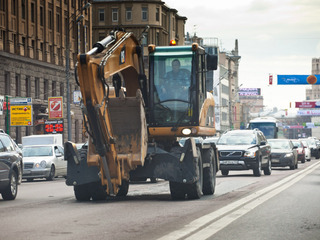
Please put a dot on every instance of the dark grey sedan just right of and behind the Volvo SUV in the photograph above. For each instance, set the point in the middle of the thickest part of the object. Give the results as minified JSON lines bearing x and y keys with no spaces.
{"x":283,"y":153}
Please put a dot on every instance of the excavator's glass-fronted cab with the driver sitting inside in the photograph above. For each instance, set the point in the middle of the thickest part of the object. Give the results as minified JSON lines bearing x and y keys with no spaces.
{"x":176,"y":97}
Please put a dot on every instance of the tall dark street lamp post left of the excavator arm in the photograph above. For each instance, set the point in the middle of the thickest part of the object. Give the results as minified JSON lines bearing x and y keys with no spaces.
{"x":70,"y":24}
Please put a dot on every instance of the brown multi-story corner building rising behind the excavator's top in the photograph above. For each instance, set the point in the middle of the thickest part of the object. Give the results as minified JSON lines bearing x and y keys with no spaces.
{"x":164,"y":23}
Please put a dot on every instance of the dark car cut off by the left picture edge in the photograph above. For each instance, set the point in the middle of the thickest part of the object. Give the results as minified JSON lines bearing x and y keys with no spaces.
{"x":10,"y":167}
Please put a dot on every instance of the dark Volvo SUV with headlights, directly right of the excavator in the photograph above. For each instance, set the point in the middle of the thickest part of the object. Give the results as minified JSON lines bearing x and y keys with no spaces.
{"x":243,"y":150}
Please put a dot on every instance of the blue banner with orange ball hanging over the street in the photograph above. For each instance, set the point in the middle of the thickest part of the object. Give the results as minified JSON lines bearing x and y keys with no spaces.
{"x":298,"y":79}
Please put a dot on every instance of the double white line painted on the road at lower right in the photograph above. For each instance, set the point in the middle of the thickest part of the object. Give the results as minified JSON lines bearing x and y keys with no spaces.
{"x":234,"y":213}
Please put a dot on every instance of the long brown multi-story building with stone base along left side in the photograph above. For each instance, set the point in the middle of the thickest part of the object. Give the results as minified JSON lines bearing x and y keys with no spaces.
{"x":33,"y":44}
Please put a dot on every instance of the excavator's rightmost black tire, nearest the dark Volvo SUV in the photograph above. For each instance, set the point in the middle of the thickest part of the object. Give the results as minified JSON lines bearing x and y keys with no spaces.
{"x":209,"y":172}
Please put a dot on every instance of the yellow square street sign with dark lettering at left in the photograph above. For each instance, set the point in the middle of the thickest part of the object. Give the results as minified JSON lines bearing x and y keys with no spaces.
{"x":21,"y":115}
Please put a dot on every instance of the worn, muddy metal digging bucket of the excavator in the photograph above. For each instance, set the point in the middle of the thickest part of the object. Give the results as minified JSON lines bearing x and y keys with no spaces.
{"x":129,"y":128}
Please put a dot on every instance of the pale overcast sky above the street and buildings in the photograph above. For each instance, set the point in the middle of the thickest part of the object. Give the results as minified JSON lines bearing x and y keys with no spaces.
{"x":274,"y":36}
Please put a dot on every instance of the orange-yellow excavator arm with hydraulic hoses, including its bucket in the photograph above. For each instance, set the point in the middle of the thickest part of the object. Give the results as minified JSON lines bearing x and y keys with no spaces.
{"x":114,"y":117}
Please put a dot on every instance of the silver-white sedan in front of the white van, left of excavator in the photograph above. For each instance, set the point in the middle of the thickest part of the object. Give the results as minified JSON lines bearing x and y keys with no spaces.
{"x":43,"y":161}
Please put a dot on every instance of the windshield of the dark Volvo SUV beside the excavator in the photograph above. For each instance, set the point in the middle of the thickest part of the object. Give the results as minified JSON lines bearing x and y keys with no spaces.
{"x":237,"y":139}
